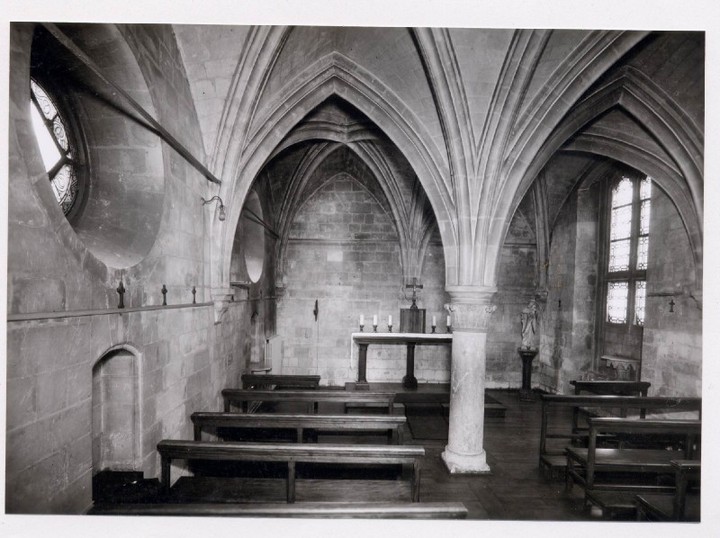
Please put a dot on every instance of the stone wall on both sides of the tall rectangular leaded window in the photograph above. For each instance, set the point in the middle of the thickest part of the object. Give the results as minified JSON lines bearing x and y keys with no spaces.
{"x":672,"y":341}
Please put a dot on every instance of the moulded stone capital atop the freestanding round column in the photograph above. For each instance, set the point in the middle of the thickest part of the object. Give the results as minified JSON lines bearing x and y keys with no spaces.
{"x":471,"y":307}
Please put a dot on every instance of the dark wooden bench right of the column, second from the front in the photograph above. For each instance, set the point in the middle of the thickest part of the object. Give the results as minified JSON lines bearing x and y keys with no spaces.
{"x":597,"y":468}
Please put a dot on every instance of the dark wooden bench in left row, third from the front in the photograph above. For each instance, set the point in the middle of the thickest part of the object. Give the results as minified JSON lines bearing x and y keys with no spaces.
{"x":390,"y":424}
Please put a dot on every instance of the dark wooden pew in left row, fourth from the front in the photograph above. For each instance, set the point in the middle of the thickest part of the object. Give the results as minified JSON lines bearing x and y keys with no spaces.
{"x":232,"y":397}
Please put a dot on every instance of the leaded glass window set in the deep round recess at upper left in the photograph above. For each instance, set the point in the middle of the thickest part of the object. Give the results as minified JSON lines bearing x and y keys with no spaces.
{"x":58,"y":150}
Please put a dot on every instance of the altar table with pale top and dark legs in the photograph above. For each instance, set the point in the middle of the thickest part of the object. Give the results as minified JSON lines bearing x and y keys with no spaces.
{"x":363,"y":340}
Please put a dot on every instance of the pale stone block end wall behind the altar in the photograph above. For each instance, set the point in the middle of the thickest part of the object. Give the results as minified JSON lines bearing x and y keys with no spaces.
{"x":344,"y":252}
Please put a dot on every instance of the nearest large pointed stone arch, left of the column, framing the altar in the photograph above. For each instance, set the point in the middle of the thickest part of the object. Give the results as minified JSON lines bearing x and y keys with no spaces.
{"x":334,"y":74}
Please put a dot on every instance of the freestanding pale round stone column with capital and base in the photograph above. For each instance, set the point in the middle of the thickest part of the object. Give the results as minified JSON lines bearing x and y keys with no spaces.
{"x":470,"y":310}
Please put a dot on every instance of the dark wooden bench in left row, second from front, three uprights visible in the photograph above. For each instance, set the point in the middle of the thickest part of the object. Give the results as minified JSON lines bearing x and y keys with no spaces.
{"x":291,"y":454}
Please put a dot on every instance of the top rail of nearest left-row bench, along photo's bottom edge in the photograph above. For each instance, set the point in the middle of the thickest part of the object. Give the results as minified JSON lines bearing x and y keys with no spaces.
{"x":432,"y":510}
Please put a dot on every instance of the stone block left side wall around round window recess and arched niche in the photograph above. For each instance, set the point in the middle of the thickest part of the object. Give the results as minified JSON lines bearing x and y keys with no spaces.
{"x":184,"y":357}
